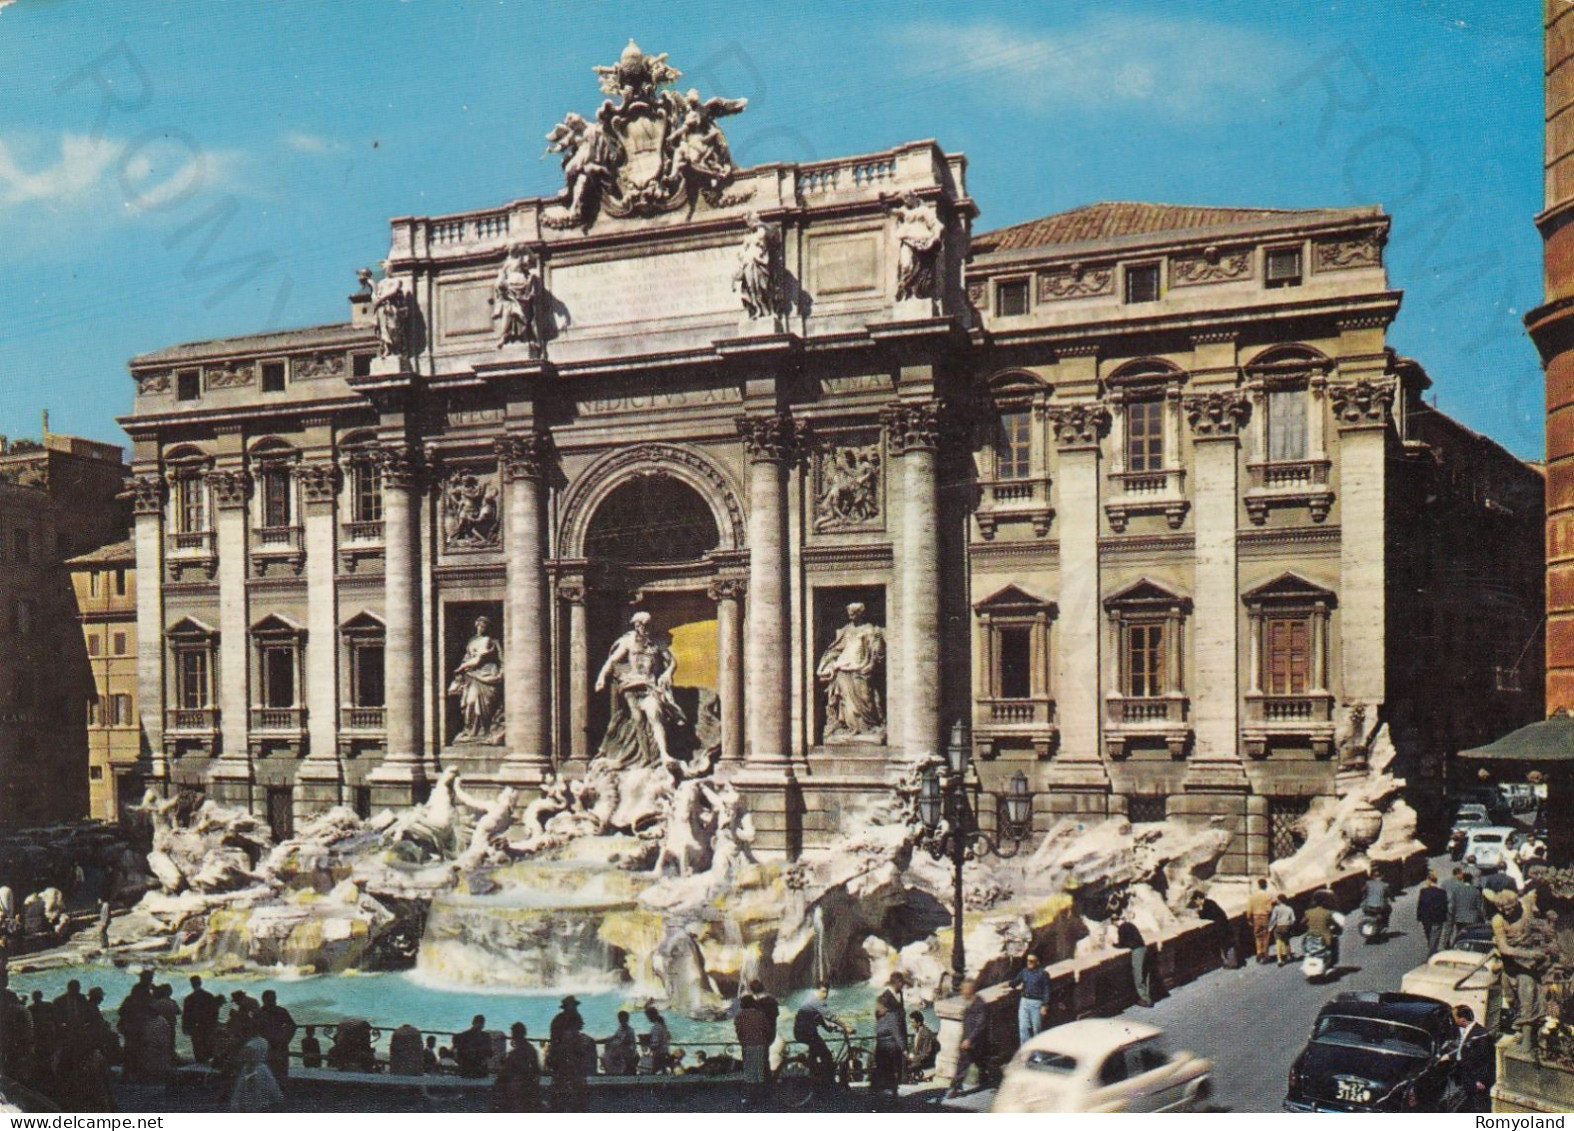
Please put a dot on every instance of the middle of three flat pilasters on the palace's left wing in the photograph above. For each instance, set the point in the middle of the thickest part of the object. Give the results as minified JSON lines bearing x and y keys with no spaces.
{"x":229,"y":490}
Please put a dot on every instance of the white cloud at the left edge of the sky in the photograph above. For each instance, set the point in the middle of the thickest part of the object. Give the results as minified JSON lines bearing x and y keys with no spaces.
{"x":98,"y":174}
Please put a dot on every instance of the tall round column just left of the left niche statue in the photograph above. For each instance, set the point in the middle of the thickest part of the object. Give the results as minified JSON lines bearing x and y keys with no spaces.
{"x":402,"y":643}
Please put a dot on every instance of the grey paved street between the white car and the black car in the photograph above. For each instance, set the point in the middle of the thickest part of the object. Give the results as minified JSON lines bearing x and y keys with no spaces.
{"x":1254,"y":1022}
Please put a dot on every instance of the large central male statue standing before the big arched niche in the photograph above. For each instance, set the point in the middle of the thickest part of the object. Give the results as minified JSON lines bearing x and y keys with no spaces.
{"x":641,"y":669}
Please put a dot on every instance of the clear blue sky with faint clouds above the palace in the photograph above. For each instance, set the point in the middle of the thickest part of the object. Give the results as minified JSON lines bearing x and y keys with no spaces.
{"x":187,"y":171}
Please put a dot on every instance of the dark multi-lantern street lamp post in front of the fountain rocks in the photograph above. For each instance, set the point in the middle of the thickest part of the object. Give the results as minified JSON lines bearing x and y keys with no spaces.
{"x":953,"y":831}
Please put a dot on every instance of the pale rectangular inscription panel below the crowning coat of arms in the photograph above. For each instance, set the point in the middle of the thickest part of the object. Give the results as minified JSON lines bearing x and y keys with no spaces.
{"x":657,"y":287}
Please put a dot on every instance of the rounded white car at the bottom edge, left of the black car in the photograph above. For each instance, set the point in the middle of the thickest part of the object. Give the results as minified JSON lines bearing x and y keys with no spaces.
{"x":1103,"y":1066}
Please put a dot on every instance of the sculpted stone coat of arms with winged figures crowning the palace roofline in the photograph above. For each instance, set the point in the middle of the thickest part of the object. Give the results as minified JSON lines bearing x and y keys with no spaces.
{"x":654,"y":150}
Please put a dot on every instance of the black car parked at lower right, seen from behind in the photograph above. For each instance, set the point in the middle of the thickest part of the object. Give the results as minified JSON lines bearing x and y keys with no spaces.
{"x":1378,"y":1053}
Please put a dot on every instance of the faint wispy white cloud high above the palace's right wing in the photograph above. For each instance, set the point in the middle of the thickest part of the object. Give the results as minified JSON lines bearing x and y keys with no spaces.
{"x":1180,"y":67}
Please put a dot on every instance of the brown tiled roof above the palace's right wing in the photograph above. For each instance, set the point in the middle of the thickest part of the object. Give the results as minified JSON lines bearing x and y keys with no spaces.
{"x":1110,"y":219}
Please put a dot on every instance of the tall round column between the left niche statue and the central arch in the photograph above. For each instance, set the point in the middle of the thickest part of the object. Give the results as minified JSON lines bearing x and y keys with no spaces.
{"x":527,"y":685}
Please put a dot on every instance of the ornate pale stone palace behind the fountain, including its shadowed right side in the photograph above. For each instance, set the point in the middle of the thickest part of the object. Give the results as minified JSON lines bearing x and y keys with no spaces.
{"x":1129,"y":490}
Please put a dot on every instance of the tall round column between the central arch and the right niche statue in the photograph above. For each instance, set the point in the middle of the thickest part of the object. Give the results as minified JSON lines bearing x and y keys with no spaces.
{"x":772,"y":443}
